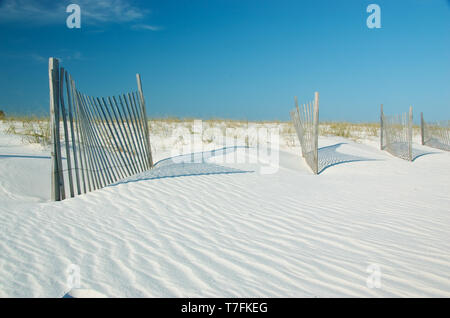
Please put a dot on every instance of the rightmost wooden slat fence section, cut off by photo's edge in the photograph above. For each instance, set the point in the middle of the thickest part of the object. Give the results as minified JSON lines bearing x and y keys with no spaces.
{"x":436,"y":135}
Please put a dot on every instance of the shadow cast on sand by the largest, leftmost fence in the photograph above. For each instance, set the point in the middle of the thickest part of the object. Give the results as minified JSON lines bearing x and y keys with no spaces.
{"x":193,"y":164}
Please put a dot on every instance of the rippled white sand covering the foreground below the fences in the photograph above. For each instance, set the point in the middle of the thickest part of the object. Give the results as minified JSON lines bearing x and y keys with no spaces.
{"x":205,"y":230}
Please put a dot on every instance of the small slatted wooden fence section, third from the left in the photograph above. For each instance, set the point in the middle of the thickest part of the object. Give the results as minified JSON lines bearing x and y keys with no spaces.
{"x":396,"y":134}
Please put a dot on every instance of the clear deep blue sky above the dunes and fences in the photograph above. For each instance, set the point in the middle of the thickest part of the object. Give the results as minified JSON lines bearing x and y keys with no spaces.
{"x":241,"y":59}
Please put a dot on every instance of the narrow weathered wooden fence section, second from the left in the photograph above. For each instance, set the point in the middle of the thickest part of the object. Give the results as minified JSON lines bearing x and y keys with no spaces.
{"x":306,"y":123}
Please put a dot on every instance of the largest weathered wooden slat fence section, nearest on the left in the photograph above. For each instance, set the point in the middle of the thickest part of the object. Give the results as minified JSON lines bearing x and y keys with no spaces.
{"x":104,"y":139}
